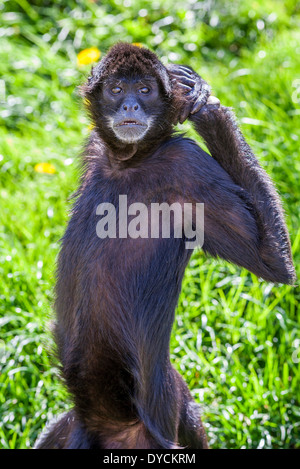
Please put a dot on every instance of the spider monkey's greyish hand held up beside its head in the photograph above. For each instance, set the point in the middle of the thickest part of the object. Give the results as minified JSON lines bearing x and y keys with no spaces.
{"x":194,"y":89}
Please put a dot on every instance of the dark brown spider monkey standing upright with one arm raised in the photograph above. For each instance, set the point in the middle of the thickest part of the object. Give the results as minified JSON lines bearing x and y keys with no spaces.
{"x":116,"y":296}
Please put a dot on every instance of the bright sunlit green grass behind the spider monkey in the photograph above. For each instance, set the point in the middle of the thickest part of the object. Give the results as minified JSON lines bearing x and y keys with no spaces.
{"x":236,"y":339}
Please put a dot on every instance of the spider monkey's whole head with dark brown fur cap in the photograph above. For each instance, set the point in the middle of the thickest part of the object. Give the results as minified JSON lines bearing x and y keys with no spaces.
{"x":130,"y":98}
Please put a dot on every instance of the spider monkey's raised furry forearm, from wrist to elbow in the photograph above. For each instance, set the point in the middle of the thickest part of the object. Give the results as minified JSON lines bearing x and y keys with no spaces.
{"x":217,"y":126}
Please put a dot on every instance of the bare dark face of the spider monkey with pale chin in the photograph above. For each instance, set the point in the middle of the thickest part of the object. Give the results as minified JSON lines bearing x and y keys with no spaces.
{"x":130,"y":106}
